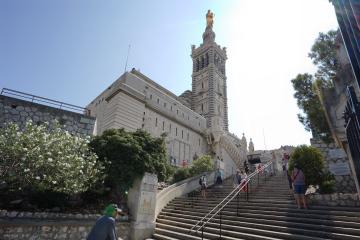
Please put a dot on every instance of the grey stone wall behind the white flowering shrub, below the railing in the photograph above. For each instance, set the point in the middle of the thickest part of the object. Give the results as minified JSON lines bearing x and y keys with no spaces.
{"x":20,"y":111}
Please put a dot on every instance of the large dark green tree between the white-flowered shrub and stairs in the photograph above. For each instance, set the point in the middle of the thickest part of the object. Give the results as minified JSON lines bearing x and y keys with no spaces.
{"x":128,"y":155}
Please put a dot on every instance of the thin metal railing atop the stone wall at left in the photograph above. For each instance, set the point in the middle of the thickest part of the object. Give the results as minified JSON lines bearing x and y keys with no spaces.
{"x":44,"y":101}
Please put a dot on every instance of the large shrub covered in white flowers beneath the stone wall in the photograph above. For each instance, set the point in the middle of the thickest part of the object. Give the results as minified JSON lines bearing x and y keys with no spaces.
{"x":46,"y":159}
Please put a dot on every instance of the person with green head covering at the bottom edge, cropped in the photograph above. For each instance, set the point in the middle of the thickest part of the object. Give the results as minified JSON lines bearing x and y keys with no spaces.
{"x":104,"y":228}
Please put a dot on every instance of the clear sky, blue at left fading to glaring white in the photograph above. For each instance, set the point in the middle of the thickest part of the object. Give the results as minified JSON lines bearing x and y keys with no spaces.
{"x":71,"y":51}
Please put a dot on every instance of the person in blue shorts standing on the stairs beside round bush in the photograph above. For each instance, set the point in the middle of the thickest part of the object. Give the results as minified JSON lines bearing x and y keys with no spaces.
{"x":298,"y":179}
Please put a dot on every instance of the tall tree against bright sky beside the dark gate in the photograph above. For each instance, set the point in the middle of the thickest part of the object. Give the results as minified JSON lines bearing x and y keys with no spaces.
{"x":323,"y":54}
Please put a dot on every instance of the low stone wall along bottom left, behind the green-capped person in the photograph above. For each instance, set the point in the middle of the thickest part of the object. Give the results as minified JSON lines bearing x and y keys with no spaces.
{"x":36,"y":226}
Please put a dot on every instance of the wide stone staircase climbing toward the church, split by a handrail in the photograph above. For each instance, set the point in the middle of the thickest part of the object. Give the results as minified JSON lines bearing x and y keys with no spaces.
{"x":270,"y":213}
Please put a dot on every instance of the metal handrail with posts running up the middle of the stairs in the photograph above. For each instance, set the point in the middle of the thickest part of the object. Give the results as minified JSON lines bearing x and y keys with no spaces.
{"x":200,"y":225}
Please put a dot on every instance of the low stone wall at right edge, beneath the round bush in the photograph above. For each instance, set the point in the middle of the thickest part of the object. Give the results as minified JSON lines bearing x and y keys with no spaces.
{"x":335,"y":199}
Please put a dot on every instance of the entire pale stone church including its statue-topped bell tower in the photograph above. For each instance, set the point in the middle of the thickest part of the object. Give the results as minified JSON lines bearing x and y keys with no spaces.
{"x":194,"y":123}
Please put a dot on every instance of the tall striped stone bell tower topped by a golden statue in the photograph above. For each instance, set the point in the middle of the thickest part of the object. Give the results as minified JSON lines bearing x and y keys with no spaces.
{"x":209,"y":97}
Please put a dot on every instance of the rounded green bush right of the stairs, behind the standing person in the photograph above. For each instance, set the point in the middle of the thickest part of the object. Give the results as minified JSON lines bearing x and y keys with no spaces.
{"x":311,"y":161}
